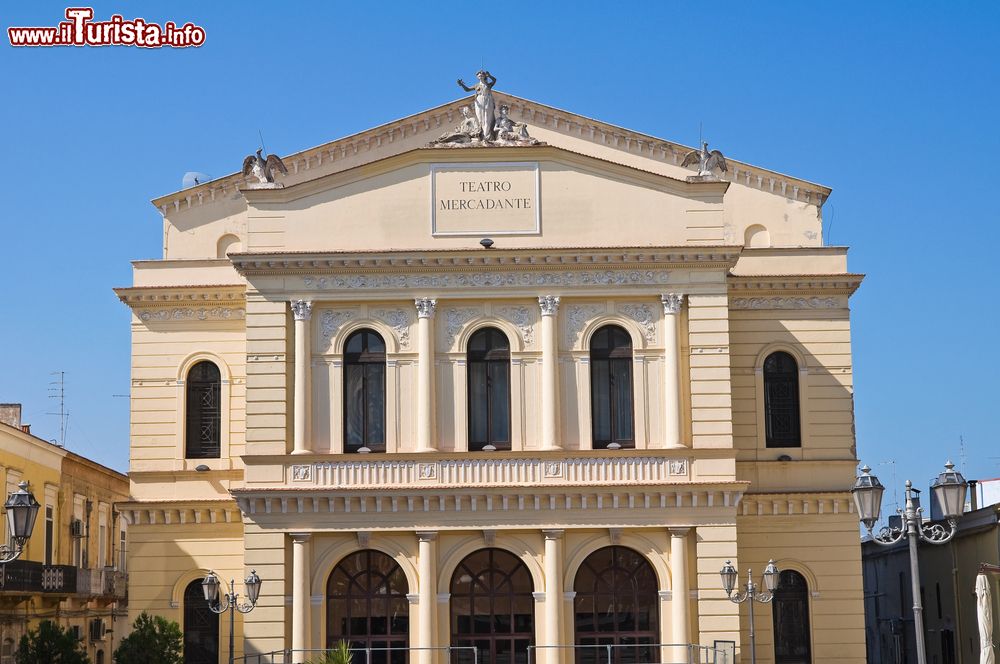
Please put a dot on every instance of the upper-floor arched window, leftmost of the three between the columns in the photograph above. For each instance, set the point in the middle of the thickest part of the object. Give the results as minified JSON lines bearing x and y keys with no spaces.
{"x":364,"y":392}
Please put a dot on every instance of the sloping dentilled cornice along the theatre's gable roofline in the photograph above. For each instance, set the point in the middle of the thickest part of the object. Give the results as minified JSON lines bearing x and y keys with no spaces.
{"x":430,"y":122}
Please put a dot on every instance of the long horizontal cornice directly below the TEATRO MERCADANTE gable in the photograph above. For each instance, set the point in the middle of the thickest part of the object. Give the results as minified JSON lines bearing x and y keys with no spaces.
{"x":536,"y":260}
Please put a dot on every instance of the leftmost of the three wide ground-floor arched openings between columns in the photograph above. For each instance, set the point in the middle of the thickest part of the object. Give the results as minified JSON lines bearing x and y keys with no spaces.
{"x":366,"y":606}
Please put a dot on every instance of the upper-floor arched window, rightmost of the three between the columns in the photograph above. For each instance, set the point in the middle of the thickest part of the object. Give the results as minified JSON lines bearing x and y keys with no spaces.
{"x":611,"y":409}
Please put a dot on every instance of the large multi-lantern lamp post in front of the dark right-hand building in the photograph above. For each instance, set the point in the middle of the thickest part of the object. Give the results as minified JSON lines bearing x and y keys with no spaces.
{"x":949,"y":489}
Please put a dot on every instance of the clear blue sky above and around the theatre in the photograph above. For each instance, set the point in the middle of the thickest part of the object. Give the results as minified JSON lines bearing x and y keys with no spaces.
{"x":894,"y":105}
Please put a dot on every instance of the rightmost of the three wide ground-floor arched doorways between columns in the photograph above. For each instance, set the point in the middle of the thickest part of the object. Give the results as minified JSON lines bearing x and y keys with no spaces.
{"x":616,"y":604}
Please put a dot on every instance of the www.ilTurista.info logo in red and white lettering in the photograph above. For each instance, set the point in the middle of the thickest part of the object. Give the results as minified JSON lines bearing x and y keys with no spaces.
{"x":80,"y":30}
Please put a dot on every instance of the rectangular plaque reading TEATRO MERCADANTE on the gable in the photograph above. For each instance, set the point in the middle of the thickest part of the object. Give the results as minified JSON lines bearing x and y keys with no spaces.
{"x":485,"y":199}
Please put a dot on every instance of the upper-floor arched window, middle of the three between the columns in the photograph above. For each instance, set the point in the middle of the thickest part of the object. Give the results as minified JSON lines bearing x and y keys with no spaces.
{"x":489,"y":390}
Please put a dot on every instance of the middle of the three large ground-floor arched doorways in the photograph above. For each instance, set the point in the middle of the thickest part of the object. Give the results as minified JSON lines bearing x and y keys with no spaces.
{"x":492,"y":608}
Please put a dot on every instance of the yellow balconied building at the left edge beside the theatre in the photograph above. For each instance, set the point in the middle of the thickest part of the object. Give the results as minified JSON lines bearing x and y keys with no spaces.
{"x":73,"y":568}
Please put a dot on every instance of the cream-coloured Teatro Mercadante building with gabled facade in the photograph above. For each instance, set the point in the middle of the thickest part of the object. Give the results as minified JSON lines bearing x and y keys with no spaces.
{"x":419,"y":439}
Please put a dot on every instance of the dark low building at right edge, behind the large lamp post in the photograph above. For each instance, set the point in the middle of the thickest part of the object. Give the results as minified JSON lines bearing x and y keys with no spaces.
{"x":947,"y":584}
